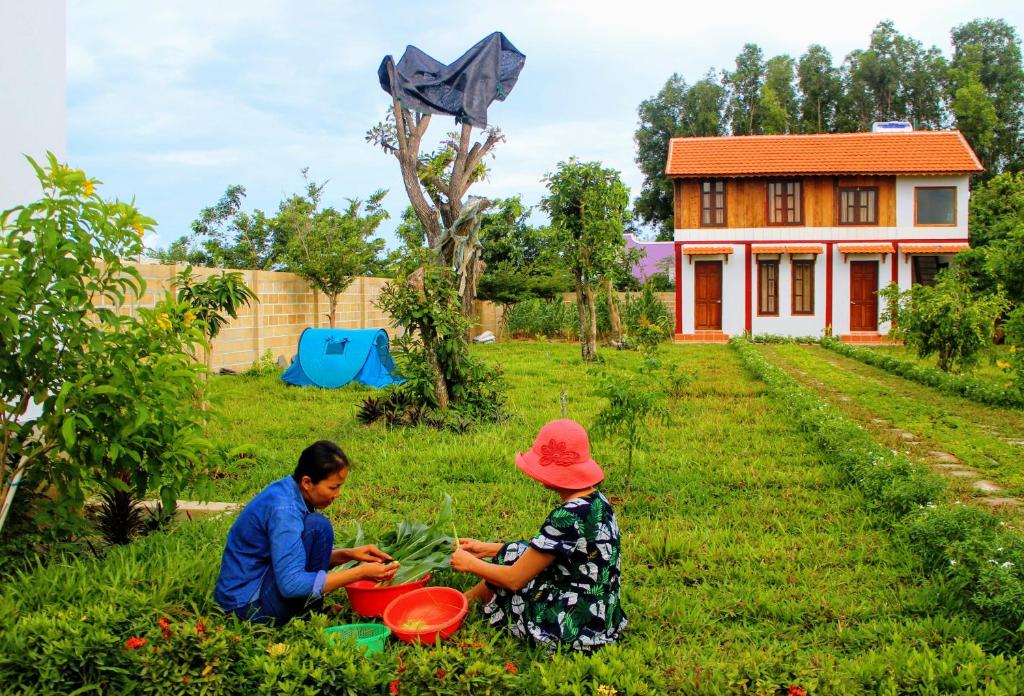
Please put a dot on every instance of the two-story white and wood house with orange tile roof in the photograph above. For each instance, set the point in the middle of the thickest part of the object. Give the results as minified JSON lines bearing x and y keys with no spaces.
{"x":794,"y":235}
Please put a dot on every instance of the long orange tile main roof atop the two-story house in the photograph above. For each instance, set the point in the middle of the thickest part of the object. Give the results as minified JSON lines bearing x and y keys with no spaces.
{"x":827,"y":154}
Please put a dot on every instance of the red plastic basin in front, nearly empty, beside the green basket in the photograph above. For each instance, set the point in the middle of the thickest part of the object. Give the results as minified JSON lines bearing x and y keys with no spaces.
{"x":424,"y":616}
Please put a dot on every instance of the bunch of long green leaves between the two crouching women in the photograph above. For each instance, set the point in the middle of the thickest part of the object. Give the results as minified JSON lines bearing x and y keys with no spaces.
{"x":419,"y":547}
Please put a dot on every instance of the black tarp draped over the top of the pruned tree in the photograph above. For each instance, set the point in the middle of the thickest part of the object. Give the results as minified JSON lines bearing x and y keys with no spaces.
{"x":464,"y":90}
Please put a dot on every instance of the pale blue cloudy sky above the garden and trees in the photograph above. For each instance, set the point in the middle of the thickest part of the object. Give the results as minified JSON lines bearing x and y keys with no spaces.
{"x":170,"y":103}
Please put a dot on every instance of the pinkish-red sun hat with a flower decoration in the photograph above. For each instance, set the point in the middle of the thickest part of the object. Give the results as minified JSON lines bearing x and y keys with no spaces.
{"x":561,"y":458}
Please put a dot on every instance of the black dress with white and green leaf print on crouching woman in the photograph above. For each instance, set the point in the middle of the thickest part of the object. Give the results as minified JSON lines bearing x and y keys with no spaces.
{"x":575,"y":601}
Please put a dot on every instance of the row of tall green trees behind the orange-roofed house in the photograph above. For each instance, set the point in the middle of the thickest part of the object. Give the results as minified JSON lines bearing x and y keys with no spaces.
{"x":978,"y":90}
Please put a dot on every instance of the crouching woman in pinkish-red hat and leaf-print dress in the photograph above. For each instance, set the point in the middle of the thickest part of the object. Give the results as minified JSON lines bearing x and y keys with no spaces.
{"x":562,"y":588}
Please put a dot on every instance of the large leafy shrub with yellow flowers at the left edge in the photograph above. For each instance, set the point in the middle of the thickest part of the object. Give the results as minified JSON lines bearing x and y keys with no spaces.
{"x":114,"y":391}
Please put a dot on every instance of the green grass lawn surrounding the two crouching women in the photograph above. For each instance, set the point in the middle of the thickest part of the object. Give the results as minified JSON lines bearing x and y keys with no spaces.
{"x":748,"y":565}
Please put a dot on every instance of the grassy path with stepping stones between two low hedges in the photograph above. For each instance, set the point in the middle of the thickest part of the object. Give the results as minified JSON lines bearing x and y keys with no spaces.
{"x":979,"y":449}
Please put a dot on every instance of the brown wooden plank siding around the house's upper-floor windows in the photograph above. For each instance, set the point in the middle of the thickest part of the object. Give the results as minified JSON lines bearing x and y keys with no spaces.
{"x":747,"y":205}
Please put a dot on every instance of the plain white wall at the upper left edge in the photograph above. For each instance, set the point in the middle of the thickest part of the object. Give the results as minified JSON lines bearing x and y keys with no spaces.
{"x":34,"y":112}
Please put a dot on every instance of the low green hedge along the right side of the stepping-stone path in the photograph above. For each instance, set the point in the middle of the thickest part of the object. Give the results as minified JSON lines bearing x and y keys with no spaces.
{"x":971,"y":388}
